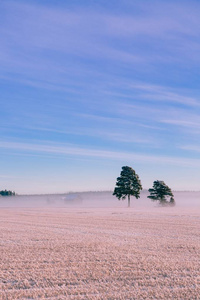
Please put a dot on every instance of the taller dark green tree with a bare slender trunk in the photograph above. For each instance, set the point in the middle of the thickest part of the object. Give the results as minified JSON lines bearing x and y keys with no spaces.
{"x":128,"y":184}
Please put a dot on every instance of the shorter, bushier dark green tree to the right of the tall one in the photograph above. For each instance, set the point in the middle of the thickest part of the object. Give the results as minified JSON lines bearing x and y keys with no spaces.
{"x":161,"y":192}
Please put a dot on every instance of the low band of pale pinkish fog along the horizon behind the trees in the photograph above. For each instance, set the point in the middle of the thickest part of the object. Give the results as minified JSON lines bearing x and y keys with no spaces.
{"x":96,"y":199}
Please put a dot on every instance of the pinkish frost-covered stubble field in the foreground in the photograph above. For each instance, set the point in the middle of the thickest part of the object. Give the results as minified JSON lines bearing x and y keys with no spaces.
{"x":100,"y":252}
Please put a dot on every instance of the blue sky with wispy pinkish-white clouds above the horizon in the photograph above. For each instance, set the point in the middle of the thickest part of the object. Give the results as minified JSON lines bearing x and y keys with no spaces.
{"x":87,"y":87}
